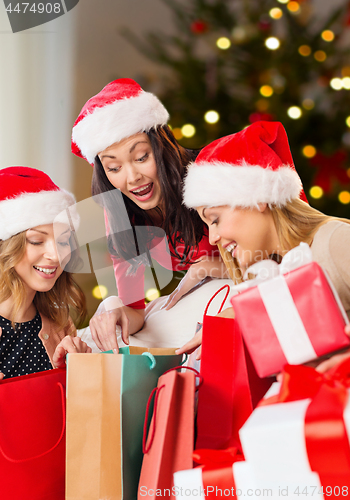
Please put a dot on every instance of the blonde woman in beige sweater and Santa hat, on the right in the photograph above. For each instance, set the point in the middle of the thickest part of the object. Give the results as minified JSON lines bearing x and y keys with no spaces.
{"x":246,"y":189}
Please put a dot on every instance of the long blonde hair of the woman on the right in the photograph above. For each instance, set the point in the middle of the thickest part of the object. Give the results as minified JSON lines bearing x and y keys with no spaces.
{"x":295,"y":222}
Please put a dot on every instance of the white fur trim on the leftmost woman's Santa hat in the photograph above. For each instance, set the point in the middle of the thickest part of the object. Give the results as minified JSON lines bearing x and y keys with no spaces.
{"x":30,"y":210}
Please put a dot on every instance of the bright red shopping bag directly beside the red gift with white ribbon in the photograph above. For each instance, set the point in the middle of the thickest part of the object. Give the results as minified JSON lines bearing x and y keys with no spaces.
{"x":231,"y":387}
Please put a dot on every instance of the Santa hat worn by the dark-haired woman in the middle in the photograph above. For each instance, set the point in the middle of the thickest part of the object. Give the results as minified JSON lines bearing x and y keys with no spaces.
{"x":120,"y":110}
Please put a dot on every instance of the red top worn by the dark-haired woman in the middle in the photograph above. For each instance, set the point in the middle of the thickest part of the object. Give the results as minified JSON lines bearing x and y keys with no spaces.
{"x":131,"y":288}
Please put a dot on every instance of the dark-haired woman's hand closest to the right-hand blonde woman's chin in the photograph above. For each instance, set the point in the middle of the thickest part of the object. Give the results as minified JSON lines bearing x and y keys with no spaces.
{"x":209,"y":266}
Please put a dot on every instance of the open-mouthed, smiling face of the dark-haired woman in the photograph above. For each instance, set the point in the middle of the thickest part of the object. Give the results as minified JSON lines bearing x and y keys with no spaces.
{"x":130,"y":167}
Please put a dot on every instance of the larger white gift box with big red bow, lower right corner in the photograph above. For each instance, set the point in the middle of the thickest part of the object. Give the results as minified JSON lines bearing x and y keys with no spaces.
{"x":291,"y":436}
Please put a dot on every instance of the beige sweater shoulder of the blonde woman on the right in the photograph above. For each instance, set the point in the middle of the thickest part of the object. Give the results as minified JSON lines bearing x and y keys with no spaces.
{"x":331,"y":249}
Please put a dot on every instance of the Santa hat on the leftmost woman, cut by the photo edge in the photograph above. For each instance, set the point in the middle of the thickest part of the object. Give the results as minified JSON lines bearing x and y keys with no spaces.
{"x":28,"y":198}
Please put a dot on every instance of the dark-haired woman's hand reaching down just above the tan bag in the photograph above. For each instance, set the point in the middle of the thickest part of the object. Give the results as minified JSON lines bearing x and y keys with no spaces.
{"x":103,"y":328}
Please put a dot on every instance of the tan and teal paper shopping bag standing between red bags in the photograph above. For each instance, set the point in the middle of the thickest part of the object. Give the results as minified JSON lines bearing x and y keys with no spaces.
{"x":106,"y":403}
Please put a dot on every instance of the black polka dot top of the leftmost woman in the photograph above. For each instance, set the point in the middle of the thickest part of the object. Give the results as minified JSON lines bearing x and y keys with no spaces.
{"x":21,"y":350}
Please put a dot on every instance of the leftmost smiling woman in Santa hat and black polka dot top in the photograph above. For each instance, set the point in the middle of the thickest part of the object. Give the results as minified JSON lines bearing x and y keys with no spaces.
{"x":36,"y":294}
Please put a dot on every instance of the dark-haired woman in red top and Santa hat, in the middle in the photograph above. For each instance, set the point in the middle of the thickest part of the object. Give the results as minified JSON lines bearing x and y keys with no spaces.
{"x":139,"y":168}
